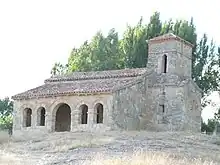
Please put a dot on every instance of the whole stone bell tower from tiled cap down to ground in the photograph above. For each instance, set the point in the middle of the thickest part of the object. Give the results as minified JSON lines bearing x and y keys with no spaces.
{"x":172,"y":92}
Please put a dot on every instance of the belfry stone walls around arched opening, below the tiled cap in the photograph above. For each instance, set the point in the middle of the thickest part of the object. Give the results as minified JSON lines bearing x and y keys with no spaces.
{"x":179,"y":57}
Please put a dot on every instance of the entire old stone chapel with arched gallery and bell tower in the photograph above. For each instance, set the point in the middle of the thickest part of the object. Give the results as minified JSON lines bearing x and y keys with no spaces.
{"x":160,"y":97}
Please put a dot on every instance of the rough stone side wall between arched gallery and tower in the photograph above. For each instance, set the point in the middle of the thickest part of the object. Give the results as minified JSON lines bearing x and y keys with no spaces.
{"x":128,"y":104}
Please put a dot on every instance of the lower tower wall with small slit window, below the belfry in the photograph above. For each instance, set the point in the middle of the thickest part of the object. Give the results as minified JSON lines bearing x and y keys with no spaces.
{"x":172,"y":116}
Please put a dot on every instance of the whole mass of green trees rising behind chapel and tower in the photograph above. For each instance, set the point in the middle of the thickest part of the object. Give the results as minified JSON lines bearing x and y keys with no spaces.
{"x":131,"y":51}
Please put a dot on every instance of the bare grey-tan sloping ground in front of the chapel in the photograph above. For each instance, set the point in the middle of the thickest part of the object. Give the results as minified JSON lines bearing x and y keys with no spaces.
{"x":80,"y":148}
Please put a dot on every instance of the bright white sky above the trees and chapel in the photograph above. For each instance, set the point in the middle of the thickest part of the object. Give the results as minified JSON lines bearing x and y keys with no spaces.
{"x":36,"y":33}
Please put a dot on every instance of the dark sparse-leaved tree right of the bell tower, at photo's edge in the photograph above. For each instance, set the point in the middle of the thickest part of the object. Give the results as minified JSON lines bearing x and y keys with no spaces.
{"x":205,"y":66}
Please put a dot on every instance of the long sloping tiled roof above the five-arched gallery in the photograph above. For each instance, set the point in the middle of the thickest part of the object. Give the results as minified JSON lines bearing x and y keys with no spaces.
{"x":83,"y":82}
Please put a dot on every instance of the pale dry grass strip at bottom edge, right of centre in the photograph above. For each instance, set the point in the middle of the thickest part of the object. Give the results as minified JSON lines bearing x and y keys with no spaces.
{"x":148,"y":158}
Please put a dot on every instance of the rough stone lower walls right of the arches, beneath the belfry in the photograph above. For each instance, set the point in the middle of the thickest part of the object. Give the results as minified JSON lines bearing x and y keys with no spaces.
{"x":139,"y":106}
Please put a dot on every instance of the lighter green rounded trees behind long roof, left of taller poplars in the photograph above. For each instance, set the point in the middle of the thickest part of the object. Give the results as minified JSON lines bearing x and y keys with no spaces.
{"x":102,"y":53}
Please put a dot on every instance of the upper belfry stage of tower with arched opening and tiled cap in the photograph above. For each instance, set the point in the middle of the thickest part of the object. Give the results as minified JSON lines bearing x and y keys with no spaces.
{"x":170,"y":54}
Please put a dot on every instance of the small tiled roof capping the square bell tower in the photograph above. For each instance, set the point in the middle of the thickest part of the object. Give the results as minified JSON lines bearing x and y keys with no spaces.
{"x":169,"y":36}
